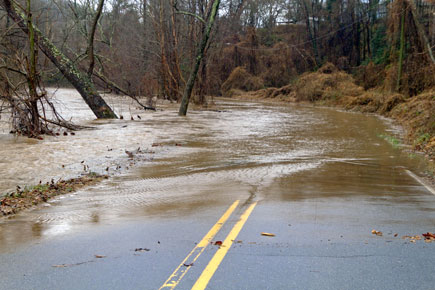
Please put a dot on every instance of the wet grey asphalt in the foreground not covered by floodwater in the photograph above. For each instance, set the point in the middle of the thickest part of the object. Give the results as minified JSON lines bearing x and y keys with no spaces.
{"x":307,"y":252}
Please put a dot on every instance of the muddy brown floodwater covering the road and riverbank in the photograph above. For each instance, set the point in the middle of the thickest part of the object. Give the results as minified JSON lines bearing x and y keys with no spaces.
{"x":246,"y":150}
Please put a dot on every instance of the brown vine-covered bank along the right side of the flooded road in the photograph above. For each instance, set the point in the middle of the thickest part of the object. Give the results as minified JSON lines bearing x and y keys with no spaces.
{"x":331,"y":87}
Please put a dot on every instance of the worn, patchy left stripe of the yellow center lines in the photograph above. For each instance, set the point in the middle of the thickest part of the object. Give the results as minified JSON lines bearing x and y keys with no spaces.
{"x":181,"y":270}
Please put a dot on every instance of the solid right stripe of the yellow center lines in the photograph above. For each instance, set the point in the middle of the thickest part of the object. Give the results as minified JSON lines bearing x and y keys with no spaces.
{"x":214,"y":263}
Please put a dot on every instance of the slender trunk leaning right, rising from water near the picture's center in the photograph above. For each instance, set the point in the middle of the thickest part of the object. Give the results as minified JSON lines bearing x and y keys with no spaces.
{"x":199,"y":57}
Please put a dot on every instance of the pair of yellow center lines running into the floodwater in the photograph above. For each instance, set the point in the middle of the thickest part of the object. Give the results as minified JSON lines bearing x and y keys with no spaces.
{"x":214,"y":263}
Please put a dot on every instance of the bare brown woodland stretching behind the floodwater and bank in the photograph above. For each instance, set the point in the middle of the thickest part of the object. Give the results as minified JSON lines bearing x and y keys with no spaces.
{"x":149,"y":48}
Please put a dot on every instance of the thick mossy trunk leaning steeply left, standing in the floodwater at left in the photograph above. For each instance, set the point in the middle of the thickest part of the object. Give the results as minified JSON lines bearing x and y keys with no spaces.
{"x":80,"y":81}
